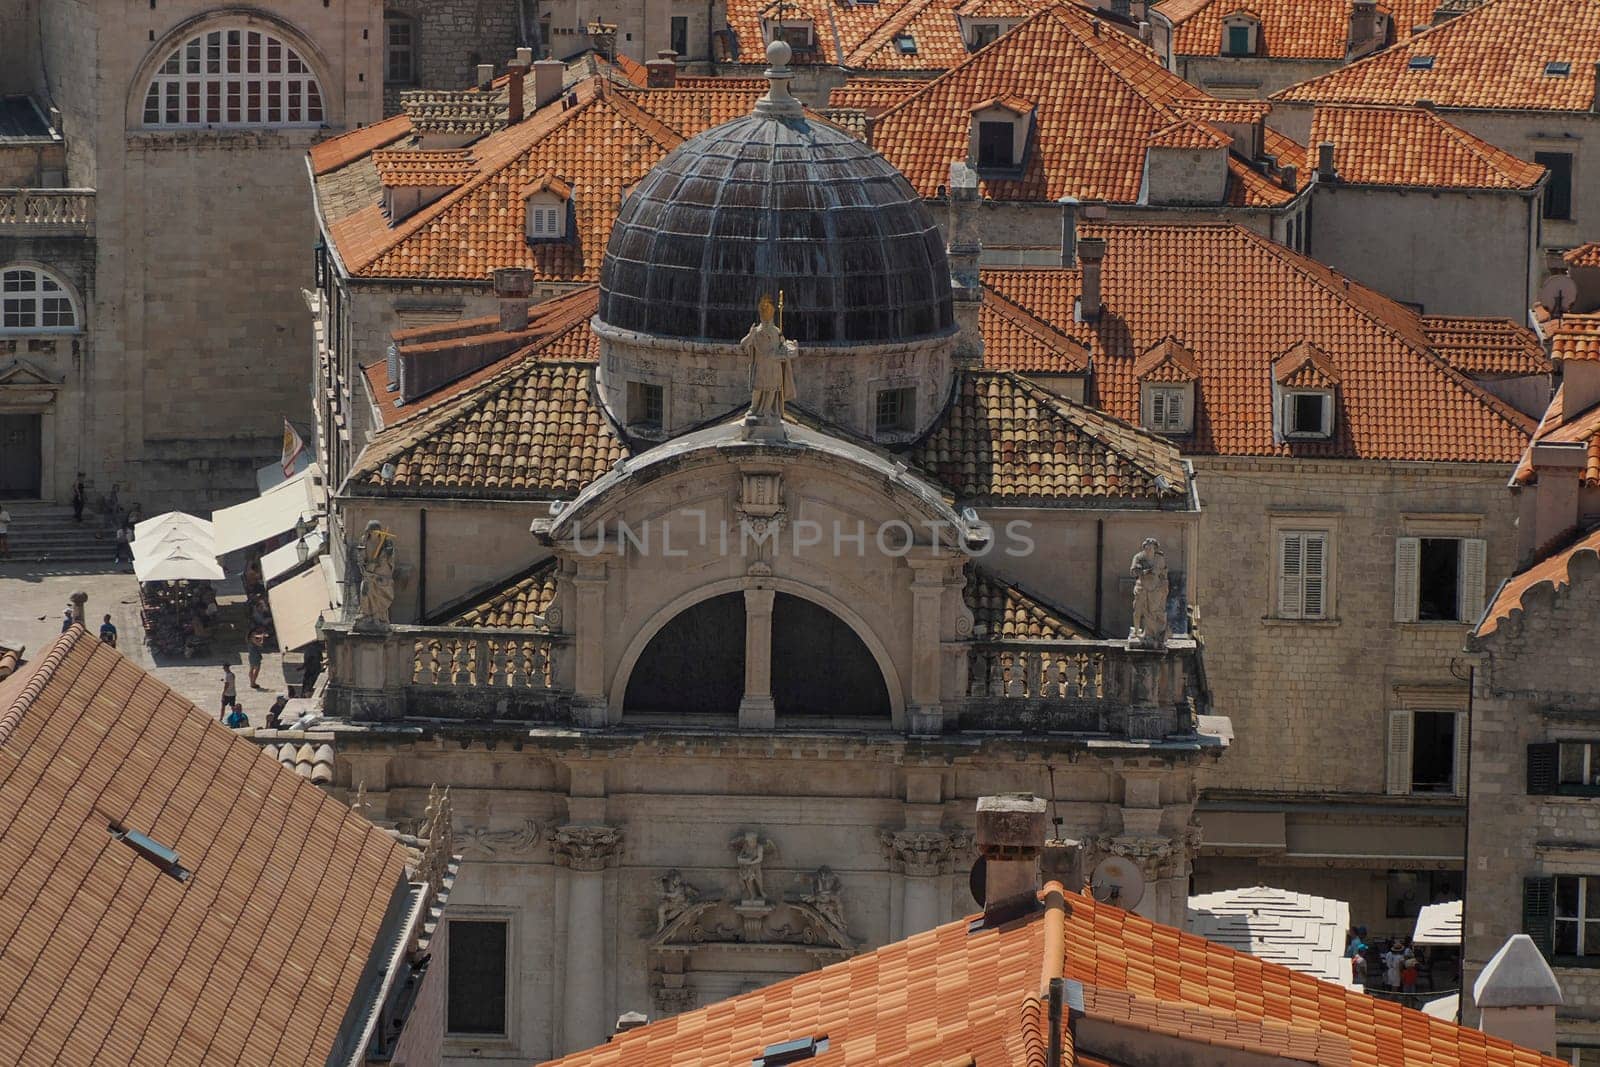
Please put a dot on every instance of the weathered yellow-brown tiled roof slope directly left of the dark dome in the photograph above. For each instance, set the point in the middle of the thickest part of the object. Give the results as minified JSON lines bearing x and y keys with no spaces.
{"x":532,"y":431}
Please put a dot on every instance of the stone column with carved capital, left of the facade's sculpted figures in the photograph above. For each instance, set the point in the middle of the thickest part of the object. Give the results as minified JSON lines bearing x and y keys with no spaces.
{"x":585,"y":852}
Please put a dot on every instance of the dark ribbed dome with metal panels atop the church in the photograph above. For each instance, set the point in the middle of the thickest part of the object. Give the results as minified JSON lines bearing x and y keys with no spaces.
{"x":766,"y":204}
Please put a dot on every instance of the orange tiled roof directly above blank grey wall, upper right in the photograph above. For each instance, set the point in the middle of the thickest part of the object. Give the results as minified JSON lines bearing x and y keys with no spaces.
{"x":1414,"y":148}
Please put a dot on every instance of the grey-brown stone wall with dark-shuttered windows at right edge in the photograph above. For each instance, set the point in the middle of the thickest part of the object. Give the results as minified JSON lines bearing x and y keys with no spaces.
{"x":1538,"y":681}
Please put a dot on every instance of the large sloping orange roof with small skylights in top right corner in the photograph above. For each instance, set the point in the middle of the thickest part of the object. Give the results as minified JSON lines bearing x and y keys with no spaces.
{"x":1474,"y":66}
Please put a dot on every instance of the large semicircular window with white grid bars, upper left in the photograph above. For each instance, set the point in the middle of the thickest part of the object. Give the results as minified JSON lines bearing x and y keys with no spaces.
{"x":233,"y":78}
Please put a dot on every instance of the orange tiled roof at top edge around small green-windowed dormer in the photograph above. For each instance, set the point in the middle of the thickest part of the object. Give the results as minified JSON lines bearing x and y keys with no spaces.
{"x":1290,"y":30}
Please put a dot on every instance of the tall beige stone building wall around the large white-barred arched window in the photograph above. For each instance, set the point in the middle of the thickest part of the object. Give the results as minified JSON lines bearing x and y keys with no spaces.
{"x":191,"y":124}
